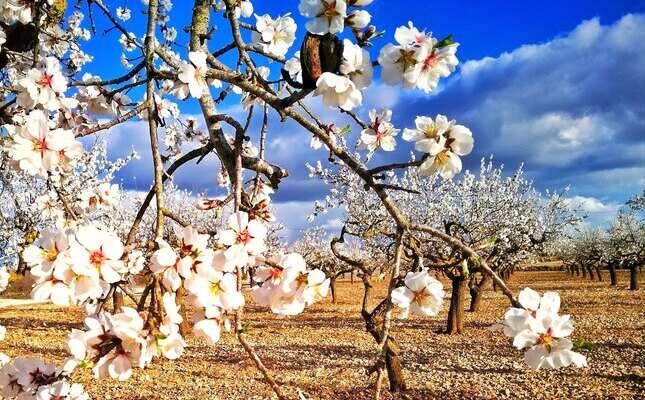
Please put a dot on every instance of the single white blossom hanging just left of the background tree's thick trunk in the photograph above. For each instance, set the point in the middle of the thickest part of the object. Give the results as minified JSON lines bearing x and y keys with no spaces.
{"x":421,"y":294}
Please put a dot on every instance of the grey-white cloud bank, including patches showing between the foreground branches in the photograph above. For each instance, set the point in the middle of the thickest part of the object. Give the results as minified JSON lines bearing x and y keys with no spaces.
{"x":571,"y":109}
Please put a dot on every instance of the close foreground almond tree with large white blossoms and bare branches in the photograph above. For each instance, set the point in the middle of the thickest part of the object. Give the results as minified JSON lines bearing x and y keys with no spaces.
{"x":77,"y":254}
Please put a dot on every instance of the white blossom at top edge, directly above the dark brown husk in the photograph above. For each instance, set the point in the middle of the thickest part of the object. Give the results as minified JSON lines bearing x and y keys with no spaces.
{"x":328,"y":15}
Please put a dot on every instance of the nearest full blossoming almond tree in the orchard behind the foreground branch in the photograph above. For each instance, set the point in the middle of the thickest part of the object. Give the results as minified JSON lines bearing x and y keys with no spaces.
{"x":505,"y":219}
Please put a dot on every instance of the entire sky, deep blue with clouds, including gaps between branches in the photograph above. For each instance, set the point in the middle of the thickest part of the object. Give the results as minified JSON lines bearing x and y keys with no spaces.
{"x":559,"y":86}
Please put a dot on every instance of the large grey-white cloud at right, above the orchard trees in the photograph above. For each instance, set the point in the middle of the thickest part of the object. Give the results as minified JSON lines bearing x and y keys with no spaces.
{"x":572,"y":108}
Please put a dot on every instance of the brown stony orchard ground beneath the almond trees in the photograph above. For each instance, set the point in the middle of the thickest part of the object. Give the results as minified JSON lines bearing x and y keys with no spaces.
{"x":325,"y":351}
